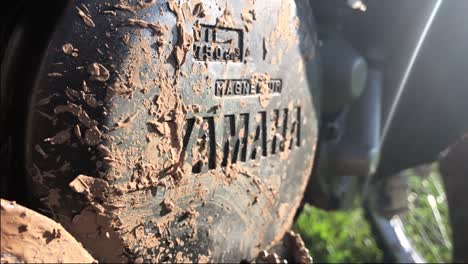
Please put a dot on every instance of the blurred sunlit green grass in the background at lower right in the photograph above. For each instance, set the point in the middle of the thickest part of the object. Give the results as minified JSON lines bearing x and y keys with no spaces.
{"x":338,"y":237}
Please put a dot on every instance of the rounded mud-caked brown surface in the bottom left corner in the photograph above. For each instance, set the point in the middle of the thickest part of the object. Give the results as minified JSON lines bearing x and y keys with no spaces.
{"x":29,"y":237}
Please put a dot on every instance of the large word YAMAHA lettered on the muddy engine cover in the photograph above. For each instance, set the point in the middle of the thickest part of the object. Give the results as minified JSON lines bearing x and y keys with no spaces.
{"x":245,"y":137}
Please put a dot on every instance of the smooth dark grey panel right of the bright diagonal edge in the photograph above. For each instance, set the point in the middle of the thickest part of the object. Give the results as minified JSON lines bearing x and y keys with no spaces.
{"x":432,"y":111}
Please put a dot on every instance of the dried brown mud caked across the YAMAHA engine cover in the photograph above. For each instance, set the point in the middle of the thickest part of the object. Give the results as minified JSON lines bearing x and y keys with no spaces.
{"x":133,"y":152}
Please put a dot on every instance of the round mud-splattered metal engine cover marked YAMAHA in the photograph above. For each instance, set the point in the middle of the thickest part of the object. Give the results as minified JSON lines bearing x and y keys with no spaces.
{"x":175,"y":131}
